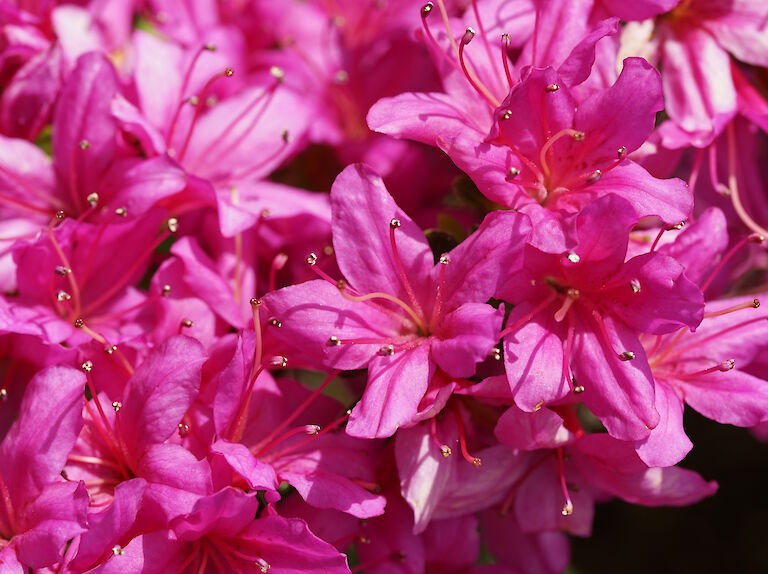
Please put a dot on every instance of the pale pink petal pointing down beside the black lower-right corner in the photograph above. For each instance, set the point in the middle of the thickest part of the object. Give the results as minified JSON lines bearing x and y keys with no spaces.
{"x":667,"y":444}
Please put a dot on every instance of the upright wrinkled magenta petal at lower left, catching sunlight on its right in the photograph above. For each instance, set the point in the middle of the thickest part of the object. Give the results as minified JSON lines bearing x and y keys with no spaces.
{"x":160,"y":392}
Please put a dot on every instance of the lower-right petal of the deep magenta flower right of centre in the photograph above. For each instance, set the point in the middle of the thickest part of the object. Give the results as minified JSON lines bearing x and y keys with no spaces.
{"x":619,"y":393}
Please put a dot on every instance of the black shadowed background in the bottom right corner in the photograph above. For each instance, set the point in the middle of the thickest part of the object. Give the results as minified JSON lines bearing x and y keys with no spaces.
{"x":727,"y":533}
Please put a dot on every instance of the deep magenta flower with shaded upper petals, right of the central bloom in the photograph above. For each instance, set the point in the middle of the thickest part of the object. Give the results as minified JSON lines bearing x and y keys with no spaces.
{"x":577,"y":316}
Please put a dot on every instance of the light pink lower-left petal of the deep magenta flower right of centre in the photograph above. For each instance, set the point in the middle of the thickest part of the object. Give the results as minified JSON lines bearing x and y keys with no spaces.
{"x":533,"y":359}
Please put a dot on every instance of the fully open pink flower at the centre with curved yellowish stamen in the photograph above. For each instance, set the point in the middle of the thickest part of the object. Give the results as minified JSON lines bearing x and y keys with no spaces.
{"x":396,"y":312}
